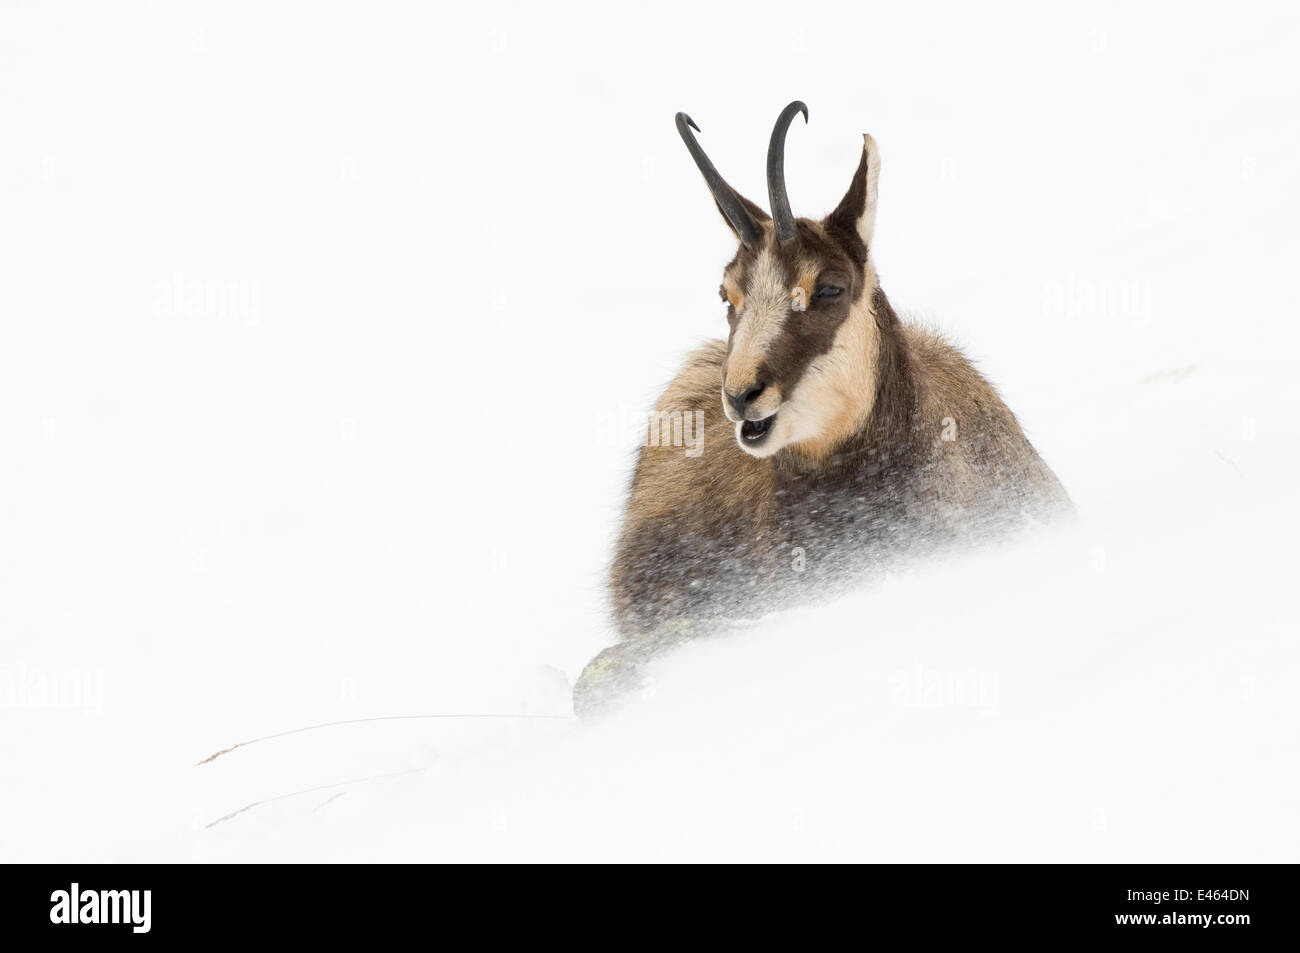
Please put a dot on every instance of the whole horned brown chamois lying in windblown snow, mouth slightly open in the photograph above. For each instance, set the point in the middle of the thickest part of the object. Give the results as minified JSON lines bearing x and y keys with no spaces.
{"x":860,"y":441}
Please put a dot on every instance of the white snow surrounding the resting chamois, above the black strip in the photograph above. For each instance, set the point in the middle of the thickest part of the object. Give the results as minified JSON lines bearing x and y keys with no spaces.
{"x":324,"y":336}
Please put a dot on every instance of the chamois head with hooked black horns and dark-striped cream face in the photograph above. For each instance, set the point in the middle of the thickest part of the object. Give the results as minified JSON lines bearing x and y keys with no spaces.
{"x":800,"y":294}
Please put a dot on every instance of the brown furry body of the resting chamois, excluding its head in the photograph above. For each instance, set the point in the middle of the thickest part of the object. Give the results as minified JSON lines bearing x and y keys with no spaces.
{"x":713,"y":536}
